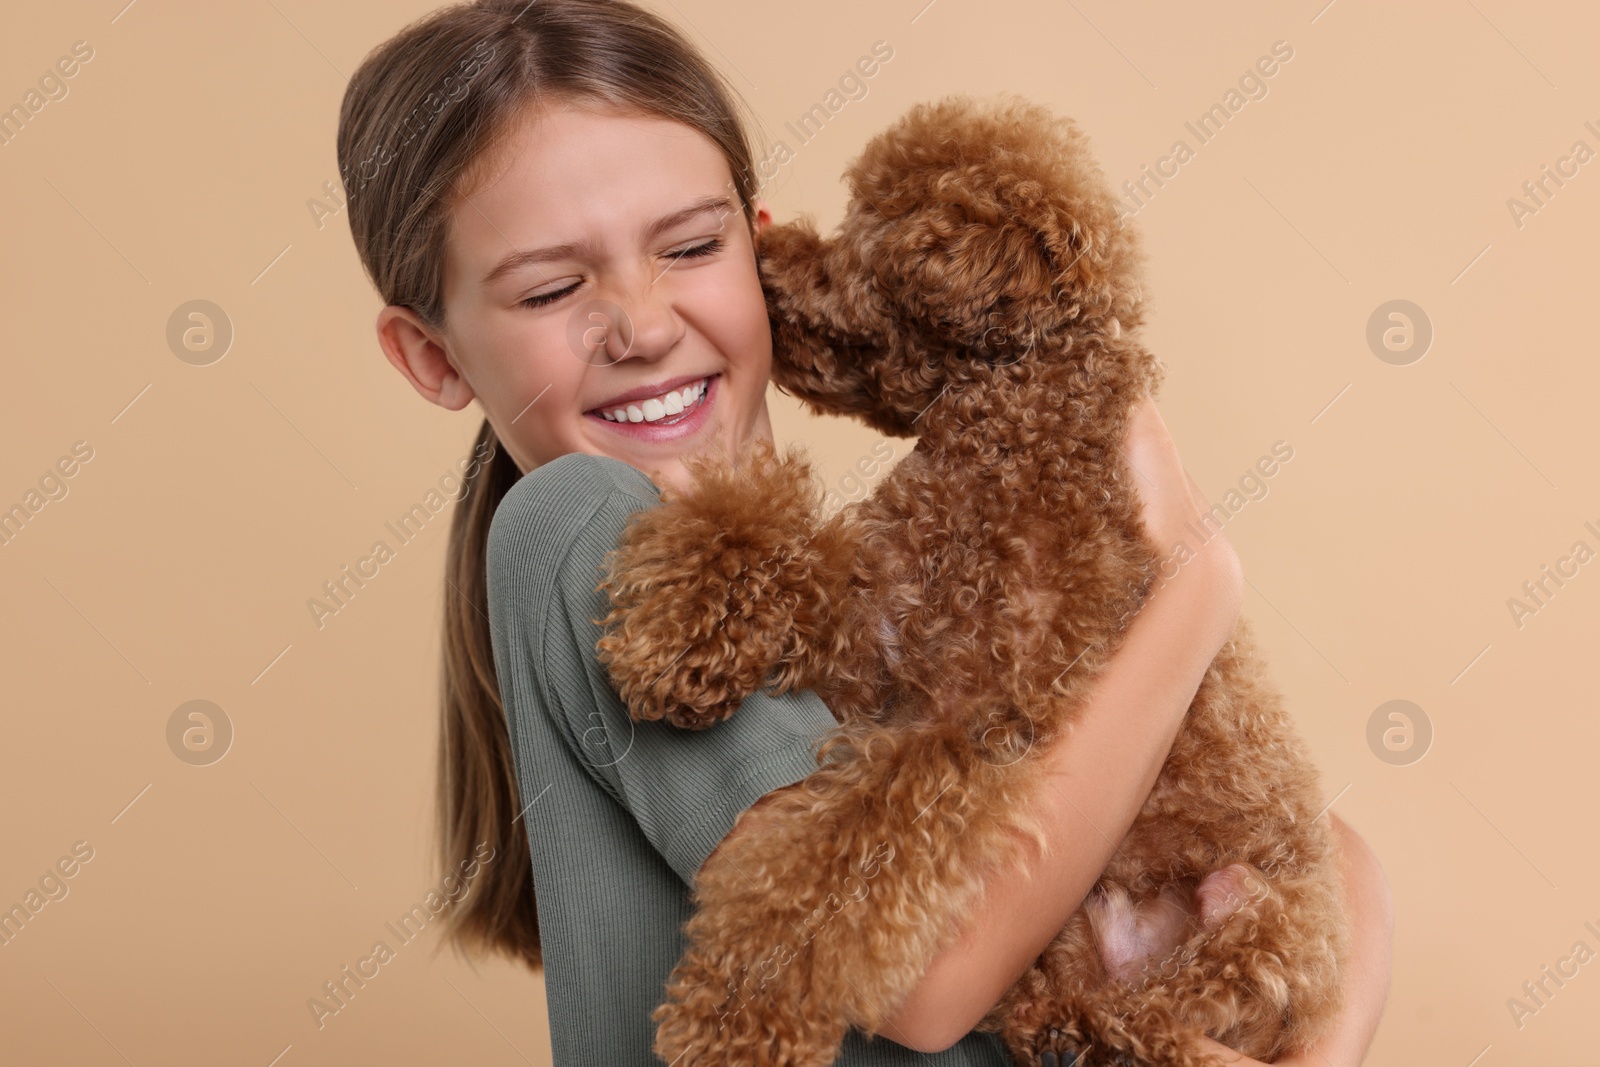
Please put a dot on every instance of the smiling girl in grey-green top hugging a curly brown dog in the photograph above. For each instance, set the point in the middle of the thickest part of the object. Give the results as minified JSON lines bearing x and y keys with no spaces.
{"x":556,"y":201}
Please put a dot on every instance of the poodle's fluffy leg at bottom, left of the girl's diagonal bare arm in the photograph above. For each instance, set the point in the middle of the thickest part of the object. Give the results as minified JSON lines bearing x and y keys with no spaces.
{"x":825,"y":909}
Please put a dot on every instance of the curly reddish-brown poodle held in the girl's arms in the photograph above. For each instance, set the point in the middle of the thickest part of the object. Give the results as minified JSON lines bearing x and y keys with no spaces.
{"x":983,"y":297}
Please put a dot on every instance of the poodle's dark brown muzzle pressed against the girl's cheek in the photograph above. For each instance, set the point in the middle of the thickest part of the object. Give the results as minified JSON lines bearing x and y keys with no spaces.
{"x":828,"y":324}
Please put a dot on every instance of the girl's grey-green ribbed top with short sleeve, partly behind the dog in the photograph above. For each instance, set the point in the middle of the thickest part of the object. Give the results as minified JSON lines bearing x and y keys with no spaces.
{"x":620,"y":815}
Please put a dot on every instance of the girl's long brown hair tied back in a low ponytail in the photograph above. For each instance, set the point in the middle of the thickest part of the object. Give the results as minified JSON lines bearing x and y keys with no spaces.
{"x":423,"y":108}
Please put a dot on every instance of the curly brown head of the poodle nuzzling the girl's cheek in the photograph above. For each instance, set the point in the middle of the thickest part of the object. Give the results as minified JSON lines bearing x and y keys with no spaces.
{"x":978,"y":234}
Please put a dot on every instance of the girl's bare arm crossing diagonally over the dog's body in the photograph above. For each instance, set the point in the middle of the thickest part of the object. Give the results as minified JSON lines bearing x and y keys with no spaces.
{"x":1097,"y":780}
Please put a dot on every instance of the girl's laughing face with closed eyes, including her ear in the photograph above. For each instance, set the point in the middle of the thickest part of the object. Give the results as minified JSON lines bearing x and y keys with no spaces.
{"x":601,"y":297}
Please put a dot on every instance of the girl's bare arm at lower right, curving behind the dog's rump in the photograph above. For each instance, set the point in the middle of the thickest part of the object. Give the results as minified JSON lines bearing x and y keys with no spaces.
{"x":1370,"y":913}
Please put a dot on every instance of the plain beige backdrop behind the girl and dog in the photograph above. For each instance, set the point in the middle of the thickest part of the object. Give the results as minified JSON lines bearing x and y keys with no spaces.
{"x":218,"y":500}
